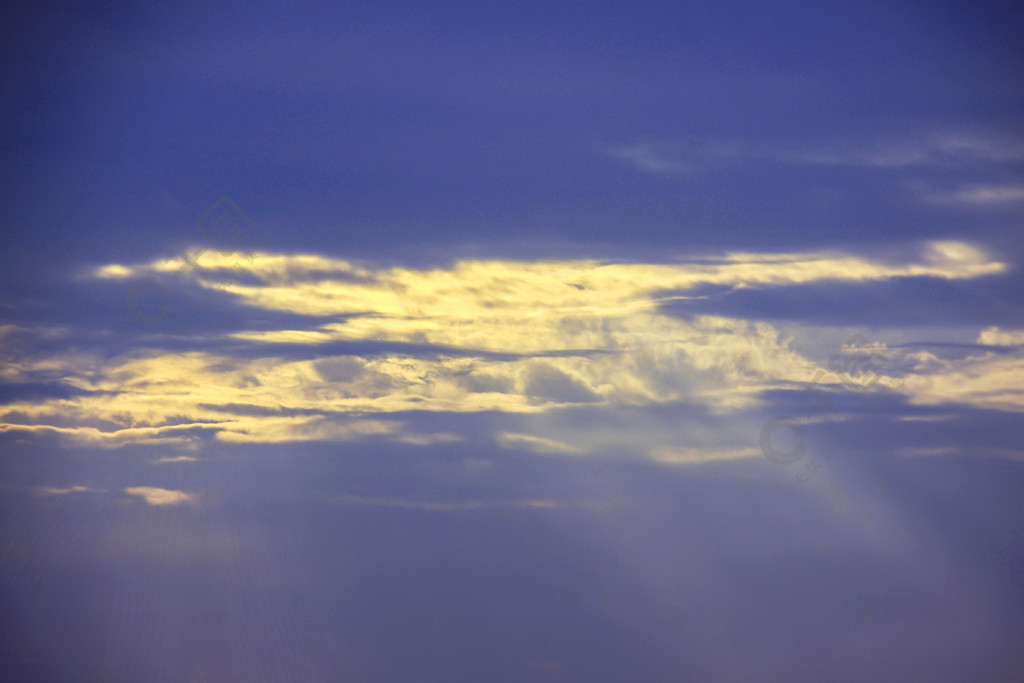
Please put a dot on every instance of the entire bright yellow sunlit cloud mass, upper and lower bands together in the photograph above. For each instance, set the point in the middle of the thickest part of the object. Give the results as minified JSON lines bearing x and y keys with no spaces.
{"x":511,"y":338}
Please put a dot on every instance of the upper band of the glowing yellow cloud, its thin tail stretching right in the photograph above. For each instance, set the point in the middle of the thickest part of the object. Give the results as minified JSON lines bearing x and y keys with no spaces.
{"x":417,"y":306}
